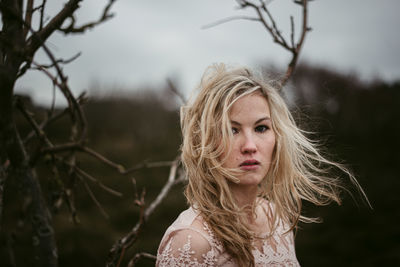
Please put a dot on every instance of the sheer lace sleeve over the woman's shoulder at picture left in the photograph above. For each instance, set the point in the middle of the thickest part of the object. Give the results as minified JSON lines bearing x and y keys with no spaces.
{"x":186,"y":247}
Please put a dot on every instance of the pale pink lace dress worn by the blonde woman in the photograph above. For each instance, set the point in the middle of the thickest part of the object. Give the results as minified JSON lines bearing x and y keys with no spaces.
{"x":190,"y":242}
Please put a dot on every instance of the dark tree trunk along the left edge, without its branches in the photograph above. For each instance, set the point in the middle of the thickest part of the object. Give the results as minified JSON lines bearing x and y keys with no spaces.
{"x":12,"y":150}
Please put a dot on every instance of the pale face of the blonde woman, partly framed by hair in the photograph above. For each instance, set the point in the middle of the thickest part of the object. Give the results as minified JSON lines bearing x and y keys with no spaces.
{"x":253,"y":138}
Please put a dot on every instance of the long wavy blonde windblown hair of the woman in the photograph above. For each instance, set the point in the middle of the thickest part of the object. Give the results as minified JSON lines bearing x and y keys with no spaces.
{"x":298,"y":170}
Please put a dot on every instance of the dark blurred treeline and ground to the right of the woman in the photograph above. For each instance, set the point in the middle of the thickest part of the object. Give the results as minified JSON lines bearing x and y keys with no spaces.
{"x":360,"y":123}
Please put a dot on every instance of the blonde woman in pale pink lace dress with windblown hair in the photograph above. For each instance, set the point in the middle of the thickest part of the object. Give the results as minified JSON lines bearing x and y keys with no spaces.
{"x":249,"y":167}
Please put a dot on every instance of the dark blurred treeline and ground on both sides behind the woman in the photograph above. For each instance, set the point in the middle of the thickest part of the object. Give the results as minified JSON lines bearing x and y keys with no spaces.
{"x":357,"y":121}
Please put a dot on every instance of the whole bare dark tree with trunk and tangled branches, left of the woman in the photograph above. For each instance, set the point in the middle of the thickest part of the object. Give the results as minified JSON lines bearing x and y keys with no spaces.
{"x":19,"y":44}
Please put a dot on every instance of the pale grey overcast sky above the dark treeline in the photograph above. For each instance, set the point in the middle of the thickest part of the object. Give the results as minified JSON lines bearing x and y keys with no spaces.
{"x":150,"y":40}
